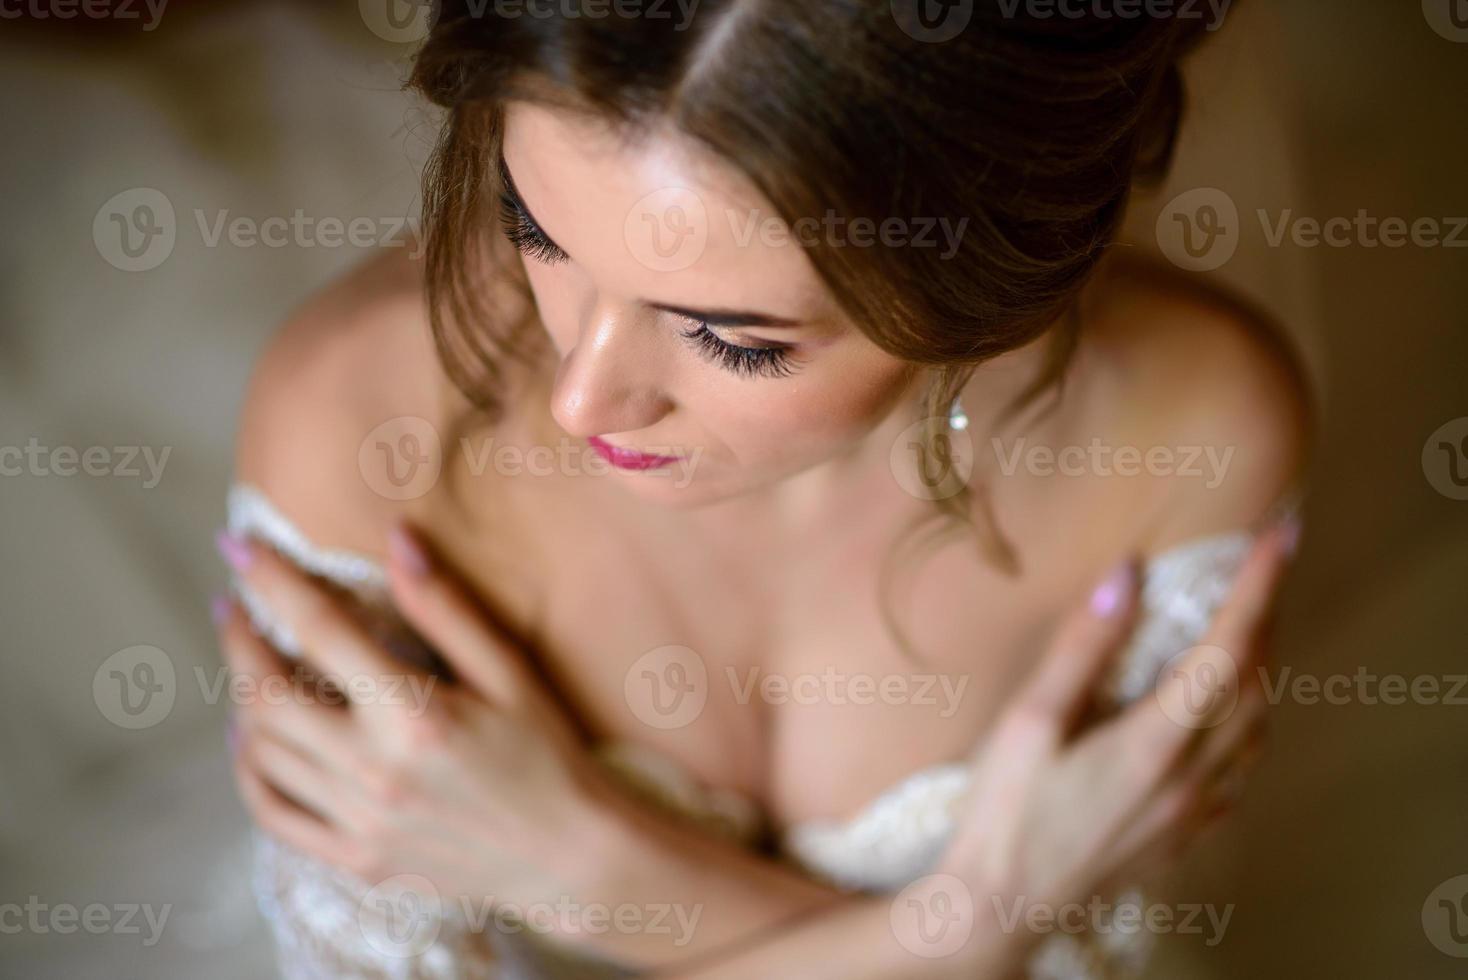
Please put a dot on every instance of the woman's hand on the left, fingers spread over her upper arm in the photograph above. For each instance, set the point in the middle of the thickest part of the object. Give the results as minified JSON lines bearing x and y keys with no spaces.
{"x":479,"y":786}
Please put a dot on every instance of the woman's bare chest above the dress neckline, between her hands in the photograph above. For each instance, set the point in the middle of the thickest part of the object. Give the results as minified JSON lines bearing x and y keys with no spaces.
{"x":791,"y":689}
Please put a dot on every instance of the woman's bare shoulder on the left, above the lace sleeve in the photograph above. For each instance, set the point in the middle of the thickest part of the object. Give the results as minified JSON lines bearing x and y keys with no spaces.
{"x":355,"y":357}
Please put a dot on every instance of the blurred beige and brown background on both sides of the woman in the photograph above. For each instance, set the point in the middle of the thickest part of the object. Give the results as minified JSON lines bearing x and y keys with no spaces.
{"x":131,"y":315}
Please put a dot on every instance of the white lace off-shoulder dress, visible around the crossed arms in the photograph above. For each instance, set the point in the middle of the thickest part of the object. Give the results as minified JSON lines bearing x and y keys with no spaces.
{"x":325,"y":929}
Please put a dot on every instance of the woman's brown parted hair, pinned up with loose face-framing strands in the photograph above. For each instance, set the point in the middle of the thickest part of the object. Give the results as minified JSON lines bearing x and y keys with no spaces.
{"x":1033,"y":128}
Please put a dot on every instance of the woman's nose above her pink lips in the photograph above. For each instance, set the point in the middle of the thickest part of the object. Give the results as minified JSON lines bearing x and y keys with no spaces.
{"x":610,"y":381}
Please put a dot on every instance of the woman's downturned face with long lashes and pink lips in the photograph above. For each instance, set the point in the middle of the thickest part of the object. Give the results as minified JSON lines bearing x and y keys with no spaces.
{"x":686,"y":323}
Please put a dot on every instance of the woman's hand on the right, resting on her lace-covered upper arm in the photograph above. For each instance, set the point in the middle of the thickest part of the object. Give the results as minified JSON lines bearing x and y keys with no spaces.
{"x":1062,"y":808}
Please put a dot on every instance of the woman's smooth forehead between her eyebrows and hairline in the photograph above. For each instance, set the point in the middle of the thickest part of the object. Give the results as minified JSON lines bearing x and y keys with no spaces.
{"x":657,"y":216}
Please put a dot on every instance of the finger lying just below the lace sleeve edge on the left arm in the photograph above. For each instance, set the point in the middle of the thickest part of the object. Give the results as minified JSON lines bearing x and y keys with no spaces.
{"x":333,"y":639}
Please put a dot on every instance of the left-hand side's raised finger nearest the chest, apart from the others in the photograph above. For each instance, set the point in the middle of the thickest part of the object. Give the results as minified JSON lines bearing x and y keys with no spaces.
{"x":438,"y":605}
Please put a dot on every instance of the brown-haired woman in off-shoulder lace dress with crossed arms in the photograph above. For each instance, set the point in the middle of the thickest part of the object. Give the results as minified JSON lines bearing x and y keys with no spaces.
{"x":849,"y":404}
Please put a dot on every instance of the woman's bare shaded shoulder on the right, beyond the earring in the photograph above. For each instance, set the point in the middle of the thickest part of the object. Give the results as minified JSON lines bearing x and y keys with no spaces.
{"x":1207,"y":379}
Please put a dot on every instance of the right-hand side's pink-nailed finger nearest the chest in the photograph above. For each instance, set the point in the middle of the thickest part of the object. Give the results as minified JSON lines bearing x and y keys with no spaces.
{"x":1065,"y":683}
